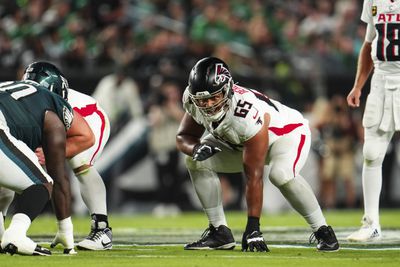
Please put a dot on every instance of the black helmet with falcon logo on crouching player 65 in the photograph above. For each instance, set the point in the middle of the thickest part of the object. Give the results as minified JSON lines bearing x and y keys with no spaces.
{"x":208,"y":78}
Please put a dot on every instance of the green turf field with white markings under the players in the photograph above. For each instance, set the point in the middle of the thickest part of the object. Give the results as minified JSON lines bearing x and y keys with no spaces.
{"x":143,"y":240}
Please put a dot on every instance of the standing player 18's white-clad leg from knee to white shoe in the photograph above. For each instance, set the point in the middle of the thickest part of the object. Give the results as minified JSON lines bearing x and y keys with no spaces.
{"x":374,"y":150}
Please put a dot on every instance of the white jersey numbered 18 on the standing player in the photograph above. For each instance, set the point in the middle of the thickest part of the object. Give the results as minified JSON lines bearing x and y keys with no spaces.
{"x":384,"y":15}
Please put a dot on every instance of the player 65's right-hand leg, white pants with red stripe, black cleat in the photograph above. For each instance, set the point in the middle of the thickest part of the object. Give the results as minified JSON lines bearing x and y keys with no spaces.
{"x":288,"y":156}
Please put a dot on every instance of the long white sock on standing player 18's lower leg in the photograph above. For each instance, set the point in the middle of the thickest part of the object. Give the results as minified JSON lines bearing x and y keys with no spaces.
{"x":372,"y":184}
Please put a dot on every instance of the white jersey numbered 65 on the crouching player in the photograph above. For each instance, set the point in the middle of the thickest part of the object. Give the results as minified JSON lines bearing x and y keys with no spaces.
{"x":245,"y":117}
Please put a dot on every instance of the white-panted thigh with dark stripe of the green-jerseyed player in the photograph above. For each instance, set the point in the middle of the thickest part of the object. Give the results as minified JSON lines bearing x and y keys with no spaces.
{"x":19,"y":166}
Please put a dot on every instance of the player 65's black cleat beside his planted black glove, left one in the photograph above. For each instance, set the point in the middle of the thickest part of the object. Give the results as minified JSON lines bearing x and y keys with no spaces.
{"x":214,"y":238}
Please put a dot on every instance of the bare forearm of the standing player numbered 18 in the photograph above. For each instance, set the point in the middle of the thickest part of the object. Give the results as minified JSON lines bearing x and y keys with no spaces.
{"x":365,"y":66}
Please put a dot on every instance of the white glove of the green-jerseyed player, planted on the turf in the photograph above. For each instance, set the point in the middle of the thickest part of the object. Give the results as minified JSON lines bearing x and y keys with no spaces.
{"x":65,"y":236}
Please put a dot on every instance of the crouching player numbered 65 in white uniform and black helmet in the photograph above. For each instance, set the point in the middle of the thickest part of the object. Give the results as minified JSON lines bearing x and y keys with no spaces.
{"x":230,"y":128}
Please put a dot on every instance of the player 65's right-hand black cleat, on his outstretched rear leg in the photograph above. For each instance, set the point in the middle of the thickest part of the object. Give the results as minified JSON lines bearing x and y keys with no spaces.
{"x":326,"y":239}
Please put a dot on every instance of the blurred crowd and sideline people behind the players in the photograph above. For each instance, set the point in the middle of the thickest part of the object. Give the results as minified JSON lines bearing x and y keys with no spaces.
{"x":134,"y":57}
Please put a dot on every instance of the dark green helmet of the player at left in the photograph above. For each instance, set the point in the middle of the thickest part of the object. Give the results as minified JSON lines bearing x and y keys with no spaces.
{"x":49,"y":76}
